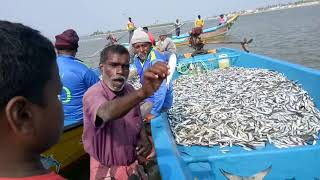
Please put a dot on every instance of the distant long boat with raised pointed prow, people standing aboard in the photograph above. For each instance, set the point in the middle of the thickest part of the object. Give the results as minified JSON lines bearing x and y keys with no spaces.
{"x":208,"y":33}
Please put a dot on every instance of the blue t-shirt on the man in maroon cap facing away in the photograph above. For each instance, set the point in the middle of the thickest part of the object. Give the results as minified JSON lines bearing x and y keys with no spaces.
{"x":76,"y":79}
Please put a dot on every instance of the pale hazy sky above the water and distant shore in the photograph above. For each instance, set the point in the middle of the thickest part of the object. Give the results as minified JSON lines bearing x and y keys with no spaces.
{"x":52,"y":17}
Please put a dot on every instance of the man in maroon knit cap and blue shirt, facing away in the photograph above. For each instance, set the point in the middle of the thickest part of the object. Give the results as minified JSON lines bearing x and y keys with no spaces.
{"x":75,"y":76}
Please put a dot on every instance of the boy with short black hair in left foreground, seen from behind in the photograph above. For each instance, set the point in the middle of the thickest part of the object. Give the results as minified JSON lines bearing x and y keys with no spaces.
{"x":31,"y":115}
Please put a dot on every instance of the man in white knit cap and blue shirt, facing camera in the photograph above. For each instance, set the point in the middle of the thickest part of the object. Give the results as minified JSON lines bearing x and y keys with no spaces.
{"x":145,"y":57}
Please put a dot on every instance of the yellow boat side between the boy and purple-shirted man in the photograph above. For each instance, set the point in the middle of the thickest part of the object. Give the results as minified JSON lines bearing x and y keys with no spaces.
{"x":68,"y":150}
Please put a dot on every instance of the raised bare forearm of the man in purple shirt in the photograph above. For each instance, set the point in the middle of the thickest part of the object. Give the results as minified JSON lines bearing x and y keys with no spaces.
{"x":120,"y":106}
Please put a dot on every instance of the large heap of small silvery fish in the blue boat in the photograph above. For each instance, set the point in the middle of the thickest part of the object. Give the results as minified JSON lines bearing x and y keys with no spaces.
{"x":244,"y":107}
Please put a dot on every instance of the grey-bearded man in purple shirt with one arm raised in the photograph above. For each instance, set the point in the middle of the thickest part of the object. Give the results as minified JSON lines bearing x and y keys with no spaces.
{"x":113,"y":128}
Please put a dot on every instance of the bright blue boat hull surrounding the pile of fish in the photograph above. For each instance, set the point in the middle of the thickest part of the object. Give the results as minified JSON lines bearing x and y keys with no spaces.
{"x":202,"y":162}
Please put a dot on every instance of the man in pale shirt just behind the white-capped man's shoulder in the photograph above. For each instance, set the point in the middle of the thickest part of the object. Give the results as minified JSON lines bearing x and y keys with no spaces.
{"x":165,"y":44}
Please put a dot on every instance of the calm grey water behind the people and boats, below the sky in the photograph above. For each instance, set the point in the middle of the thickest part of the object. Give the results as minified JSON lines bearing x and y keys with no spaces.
{"x":292,"y":35}
